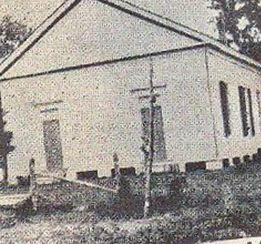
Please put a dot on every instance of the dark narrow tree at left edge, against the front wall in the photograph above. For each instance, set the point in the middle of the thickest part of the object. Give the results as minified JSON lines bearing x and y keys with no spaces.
{"x":5,"y":144}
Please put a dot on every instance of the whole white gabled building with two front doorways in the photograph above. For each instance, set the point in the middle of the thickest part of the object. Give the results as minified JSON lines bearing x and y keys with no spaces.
{"x":75,"y":93}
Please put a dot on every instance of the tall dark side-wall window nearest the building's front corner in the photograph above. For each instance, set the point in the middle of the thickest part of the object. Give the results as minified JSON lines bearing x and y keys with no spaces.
{"x":225,"y":108}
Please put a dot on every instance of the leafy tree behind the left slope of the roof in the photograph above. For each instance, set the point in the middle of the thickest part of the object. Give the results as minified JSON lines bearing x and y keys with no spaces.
{"x":12,"y":34}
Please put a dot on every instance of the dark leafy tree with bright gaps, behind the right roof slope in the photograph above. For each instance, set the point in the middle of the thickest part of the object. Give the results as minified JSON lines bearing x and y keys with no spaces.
{"x":238,"y":24}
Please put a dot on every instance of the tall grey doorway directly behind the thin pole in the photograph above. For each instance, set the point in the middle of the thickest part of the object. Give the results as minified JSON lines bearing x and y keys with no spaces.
{"x":159,"y":140}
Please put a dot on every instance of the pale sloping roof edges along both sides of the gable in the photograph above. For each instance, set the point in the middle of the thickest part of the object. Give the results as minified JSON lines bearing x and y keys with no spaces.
{"x":133,"y":10}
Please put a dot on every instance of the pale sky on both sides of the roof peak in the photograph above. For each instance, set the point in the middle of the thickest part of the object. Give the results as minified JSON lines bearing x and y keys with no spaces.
{"x":195,"y":15}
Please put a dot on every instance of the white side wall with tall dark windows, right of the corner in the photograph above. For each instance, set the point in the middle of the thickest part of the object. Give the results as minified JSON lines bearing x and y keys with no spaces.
{"x":234,"y":74}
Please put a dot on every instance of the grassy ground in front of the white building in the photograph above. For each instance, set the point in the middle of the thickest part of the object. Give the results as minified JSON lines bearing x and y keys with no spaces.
{"x":213,"y":206}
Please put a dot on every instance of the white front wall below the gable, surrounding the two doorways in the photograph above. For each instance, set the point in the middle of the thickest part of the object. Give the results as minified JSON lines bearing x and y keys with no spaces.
{"x":99,"y":115}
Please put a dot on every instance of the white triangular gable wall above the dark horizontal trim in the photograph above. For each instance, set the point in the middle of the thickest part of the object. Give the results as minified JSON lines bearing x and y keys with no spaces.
{"x":99,"y":33}
